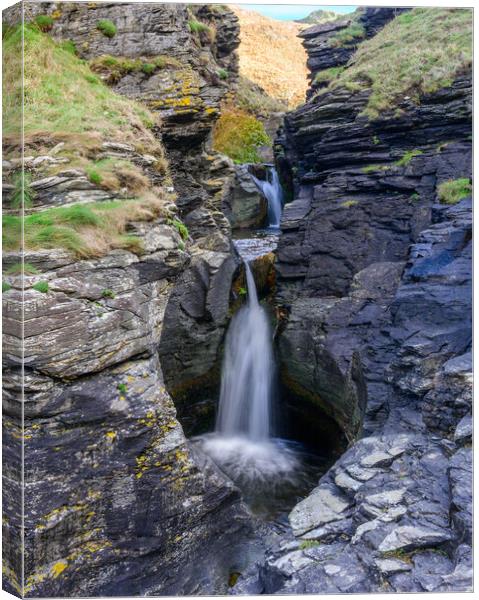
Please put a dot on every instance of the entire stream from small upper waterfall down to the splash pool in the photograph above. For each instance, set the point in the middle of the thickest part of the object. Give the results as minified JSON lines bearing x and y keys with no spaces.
{"x":273,"y":473}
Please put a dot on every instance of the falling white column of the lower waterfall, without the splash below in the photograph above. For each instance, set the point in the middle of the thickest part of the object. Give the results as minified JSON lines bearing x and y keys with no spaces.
{"x":245,"y":400}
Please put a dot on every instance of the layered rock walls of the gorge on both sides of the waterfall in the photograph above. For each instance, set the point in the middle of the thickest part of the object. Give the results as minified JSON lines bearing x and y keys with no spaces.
{"x":110,"y":371}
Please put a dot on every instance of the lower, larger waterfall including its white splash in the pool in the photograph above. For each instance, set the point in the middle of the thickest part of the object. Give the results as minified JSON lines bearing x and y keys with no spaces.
{"x":268,"y":470}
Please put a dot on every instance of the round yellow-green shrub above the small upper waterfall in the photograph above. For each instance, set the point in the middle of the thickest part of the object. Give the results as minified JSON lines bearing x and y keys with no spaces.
{"x":239,"y":135}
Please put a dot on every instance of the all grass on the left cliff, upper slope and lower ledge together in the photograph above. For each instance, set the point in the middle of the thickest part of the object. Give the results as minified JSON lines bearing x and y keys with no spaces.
{"x":67,"y":105}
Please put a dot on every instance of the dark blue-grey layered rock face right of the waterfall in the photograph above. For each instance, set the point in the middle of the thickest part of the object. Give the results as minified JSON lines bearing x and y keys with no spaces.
{"x":374,"y":277}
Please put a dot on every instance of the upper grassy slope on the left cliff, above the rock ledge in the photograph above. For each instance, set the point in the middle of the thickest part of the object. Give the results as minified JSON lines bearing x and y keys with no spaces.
{"x":63,"y":96}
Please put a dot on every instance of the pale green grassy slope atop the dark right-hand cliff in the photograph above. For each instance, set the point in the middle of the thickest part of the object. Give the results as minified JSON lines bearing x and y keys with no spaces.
{"x":417,"y":53}
